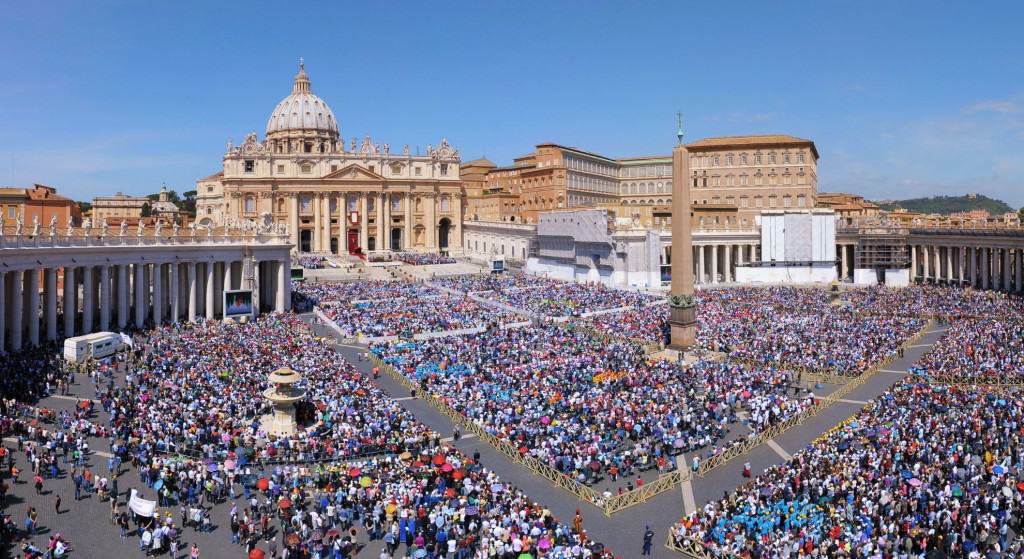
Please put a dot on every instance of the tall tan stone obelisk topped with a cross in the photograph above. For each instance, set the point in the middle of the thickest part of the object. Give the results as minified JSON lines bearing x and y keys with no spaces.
{"x":682,"y":307}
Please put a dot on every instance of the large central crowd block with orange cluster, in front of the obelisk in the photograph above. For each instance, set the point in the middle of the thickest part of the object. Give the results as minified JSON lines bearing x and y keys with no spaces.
{"x":592,"y":409}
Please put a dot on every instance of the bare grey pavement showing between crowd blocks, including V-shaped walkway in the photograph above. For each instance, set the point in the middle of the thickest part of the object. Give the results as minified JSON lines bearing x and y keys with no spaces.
{"x":87,"y":524}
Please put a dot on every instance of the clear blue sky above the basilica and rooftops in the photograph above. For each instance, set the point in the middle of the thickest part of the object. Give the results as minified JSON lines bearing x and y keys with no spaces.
{"x":903,"y":99}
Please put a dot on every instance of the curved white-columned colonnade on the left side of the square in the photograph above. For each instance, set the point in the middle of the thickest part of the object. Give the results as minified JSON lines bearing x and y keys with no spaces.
{"x":56,"y":285}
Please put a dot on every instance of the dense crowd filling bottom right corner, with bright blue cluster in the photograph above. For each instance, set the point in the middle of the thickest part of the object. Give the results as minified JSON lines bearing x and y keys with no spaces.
{"x":924,"y":471}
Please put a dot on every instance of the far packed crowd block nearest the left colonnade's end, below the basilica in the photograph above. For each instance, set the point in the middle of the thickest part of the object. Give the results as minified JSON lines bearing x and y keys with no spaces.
{"x":394,"y":309}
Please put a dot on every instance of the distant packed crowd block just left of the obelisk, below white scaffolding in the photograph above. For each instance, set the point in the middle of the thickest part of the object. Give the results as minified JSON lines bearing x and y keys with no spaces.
{"x":548,"y":297}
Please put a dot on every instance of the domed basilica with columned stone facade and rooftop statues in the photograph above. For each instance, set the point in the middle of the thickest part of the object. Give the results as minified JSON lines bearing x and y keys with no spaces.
{"x":334,"y":198}
